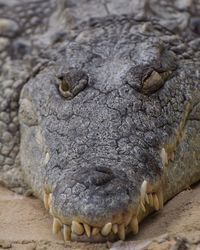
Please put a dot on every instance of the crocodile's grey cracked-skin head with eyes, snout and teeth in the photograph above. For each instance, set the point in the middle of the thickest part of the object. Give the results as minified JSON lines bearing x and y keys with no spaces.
{"x":106,"y":129}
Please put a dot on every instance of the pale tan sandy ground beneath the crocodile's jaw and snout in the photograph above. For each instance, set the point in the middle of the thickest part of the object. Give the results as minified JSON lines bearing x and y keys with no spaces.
{"x":24,"y":224}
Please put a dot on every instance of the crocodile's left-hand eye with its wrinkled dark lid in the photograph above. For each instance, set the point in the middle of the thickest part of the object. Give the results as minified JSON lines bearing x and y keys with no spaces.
{"x":71,"y":83}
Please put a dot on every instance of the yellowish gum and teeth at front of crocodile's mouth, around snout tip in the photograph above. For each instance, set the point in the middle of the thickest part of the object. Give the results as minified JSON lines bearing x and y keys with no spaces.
{"x":121,"y":224}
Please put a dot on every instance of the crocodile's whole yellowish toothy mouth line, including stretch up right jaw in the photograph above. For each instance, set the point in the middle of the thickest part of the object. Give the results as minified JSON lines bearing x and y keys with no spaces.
{"x":125,"y":221}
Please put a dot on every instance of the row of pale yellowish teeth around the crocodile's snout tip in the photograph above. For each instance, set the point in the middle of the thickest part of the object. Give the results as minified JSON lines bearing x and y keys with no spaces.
{"x":154,"y":200}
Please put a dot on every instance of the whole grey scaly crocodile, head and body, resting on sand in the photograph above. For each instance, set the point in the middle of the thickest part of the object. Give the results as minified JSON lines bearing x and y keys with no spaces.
{"x":99,"y":109}
